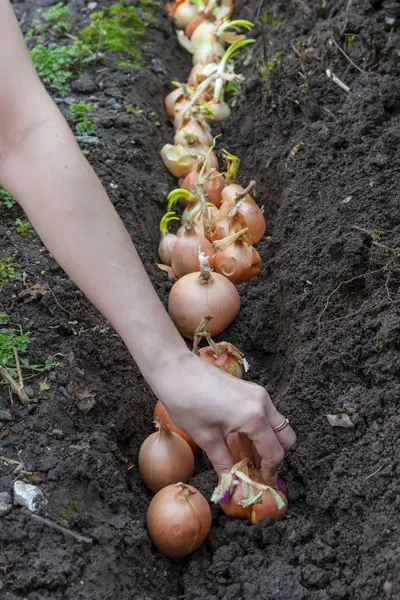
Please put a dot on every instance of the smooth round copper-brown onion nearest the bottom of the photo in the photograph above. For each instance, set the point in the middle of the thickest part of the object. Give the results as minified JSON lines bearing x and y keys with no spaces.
{"x":178,"y":520}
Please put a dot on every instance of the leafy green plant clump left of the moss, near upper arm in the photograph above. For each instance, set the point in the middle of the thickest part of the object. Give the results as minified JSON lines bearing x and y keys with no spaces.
{"x":55,"y":64}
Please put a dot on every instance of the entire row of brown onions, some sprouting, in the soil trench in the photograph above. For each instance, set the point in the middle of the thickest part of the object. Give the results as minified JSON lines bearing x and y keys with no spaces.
{"x":211,"y":251}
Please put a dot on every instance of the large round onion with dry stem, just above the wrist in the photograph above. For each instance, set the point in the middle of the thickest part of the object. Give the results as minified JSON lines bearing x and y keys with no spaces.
{"x":202,"y":294}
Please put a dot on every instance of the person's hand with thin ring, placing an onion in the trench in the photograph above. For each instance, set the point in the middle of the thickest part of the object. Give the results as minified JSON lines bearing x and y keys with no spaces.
{"x":209,"y":404}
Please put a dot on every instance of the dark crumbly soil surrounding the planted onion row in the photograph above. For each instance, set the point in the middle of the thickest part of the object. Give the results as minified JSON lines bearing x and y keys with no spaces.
{"x":319,"y":345}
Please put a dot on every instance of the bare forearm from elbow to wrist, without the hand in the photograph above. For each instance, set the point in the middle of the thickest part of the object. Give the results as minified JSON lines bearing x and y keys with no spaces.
{"x":70,"y":210}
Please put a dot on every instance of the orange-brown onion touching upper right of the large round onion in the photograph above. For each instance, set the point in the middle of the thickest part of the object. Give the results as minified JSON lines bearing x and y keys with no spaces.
{"x":236,"y":258}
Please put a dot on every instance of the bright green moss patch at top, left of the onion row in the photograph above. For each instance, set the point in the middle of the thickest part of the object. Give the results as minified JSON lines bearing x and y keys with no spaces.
{"x":121,"y":29}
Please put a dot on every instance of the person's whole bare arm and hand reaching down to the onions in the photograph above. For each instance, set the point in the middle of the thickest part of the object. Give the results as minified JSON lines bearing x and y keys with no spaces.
{"x":44,"y":168}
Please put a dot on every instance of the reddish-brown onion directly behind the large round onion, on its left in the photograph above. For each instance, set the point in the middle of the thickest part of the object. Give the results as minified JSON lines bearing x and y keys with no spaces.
{"x":185,"y":257}
